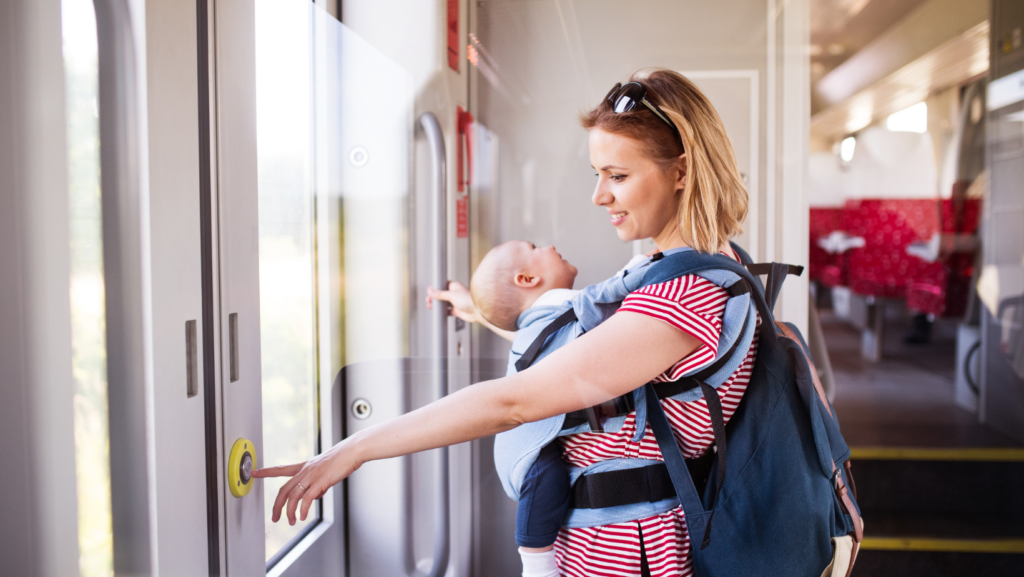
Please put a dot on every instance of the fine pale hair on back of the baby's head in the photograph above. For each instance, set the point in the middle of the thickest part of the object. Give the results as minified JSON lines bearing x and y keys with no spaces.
{"x":496,"y":297}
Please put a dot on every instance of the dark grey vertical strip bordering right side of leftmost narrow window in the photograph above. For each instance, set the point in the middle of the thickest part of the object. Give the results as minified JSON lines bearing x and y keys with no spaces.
{"x":125,"y":230}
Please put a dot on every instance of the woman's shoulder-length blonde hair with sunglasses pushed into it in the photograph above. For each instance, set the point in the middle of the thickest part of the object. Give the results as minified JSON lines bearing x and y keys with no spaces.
{"x":714,"y":203}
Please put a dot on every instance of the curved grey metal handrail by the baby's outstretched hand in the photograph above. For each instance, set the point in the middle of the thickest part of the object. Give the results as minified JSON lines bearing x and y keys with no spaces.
{"x":440,"y":279}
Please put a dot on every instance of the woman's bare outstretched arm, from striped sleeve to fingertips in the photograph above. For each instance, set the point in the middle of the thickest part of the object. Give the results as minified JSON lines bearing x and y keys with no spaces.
{"x":624,"y":353}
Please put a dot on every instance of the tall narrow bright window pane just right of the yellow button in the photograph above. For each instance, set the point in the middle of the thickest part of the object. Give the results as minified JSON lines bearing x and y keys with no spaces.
{"x":288,"y":308}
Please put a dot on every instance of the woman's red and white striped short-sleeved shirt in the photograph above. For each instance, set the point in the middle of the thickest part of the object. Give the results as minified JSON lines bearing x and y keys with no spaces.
{"x":697,"y":307}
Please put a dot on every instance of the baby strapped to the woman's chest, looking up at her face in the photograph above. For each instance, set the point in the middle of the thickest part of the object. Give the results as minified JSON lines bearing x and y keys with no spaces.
{"x":518,"y":292}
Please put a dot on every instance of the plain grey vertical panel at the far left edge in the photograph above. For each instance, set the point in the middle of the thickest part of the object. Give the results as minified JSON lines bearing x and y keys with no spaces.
{"x":37,"y":445}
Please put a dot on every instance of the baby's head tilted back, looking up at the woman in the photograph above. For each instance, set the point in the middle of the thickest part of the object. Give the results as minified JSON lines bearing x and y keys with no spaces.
{"x":513,"y":276}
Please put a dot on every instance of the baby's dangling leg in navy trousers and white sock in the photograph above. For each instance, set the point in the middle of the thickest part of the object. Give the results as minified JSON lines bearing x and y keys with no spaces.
{"x":544,"y":500}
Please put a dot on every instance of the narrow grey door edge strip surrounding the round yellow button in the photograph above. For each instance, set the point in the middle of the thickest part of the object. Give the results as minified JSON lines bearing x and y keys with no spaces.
{"x":236,"y":193}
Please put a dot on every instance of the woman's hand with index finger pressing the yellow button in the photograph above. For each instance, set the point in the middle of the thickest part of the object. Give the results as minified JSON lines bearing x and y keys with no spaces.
{"x":311,"y":480}
